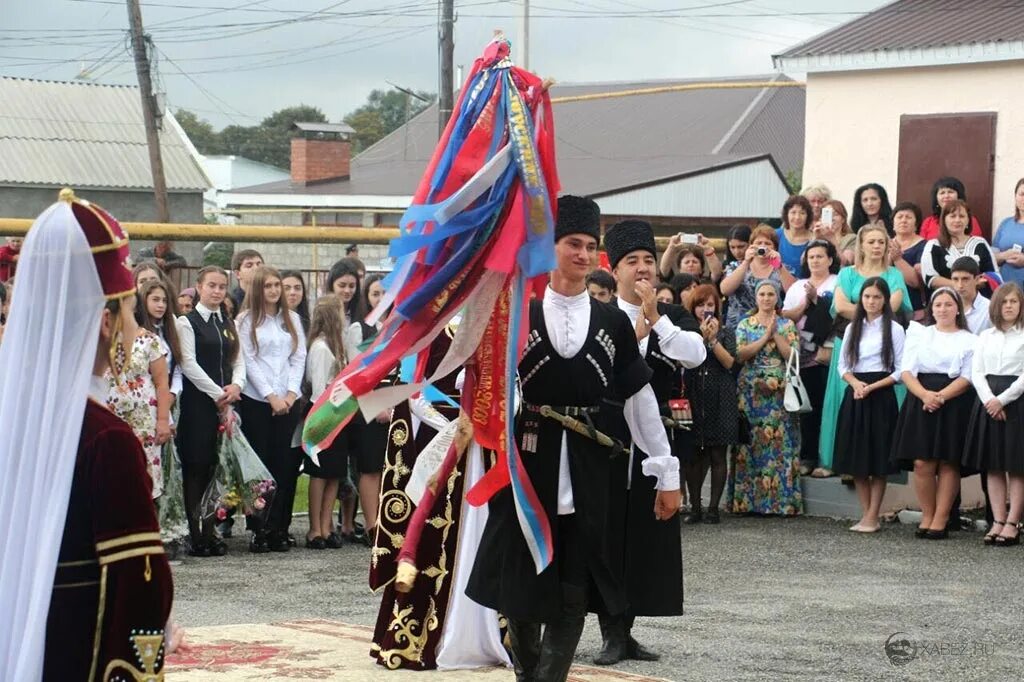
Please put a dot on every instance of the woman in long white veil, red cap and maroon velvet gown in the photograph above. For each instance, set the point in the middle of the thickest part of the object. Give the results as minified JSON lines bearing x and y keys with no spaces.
{"x":75,"y":303}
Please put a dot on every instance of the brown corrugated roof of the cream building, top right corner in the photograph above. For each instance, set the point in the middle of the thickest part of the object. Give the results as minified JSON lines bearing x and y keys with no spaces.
{"x":921,"y":24}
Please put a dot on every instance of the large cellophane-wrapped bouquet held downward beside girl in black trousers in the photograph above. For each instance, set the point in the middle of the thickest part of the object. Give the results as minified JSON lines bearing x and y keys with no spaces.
{"x":240,"y":480}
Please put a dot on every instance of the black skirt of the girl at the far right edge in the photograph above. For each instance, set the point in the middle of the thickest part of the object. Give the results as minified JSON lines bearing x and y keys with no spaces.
{"x":994,"y":446}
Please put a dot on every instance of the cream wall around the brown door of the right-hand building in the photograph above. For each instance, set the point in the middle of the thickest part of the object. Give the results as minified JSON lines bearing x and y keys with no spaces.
{"x":852,"y":135}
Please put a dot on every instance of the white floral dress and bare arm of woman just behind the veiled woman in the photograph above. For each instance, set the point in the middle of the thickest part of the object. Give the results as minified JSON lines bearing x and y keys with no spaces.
{"x":141,"y":396}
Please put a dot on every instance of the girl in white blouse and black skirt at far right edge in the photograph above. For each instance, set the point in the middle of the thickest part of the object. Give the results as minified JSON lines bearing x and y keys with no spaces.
{"x":996,"y":435}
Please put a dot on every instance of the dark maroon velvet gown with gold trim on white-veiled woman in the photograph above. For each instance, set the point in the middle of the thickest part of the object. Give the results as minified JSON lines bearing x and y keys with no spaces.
{"x":112,"y":592}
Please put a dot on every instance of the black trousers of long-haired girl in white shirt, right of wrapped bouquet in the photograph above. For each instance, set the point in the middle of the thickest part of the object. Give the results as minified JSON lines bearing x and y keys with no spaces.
{"x":271,"y":438}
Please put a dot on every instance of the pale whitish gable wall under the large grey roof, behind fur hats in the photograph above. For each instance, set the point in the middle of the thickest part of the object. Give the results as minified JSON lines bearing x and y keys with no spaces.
{"x":753,"y":190}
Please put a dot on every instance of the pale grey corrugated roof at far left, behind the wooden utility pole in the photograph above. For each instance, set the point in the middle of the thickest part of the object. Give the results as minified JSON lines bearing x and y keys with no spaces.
{"x":84,"y":136}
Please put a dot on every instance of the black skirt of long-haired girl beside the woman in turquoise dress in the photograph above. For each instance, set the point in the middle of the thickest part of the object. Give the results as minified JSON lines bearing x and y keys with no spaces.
{"x":865,"y":431}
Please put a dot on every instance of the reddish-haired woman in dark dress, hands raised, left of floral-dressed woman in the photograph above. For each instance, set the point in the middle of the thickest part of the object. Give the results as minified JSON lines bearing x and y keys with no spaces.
{"x":711,"y":389}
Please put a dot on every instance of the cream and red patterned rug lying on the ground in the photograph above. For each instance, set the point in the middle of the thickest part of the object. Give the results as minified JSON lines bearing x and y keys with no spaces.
{"x":316,"y":651}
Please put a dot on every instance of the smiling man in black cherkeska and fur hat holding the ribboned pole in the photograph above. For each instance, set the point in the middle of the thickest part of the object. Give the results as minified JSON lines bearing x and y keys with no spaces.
{"x":579,"y":353}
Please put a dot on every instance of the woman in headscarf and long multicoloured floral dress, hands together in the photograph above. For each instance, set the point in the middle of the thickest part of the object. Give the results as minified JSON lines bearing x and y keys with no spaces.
{"x":766,"y":474}
